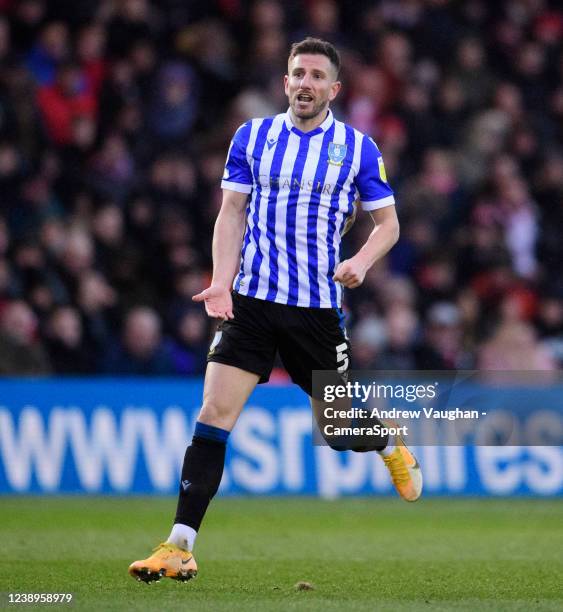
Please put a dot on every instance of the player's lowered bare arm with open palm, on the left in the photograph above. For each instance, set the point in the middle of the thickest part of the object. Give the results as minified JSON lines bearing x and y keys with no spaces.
{"x":227,"y":244}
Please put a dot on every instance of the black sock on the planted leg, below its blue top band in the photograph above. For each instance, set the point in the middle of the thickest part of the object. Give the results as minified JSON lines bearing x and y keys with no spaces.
{"x":201,"y":475}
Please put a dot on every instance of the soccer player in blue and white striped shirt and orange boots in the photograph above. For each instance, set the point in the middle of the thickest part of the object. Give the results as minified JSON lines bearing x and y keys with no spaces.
{"x":289,"y":188}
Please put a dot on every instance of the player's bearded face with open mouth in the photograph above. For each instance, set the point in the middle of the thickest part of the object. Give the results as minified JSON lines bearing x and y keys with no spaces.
{"x":310,"y":85}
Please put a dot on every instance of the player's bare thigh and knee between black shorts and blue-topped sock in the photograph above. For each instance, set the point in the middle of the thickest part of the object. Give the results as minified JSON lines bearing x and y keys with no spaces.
{"x":225,"y":393}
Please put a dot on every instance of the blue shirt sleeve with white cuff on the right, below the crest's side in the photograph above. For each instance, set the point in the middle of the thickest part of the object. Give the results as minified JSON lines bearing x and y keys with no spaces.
{"x":371,"y":180}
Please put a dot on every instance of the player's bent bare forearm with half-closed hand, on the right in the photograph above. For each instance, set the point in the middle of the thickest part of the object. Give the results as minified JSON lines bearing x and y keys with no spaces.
{"x":351,"y":272}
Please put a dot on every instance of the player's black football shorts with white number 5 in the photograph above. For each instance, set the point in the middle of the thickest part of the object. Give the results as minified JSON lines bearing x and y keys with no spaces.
{"x":307,"y":339}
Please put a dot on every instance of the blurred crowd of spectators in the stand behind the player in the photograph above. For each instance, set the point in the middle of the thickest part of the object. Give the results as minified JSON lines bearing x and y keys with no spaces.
{"x":115,"y":119}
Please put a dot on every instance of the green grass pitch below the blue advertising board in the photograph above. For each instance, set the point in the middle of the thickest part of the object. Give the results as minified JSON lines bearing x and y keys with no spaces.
{"x":358,"y":554}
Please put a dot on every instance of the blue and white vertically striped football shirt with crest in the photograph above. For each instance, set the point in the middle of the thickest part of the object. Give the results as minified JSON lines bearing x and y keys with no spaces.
{"x":302,"y":188}
